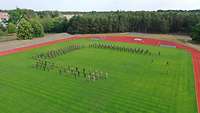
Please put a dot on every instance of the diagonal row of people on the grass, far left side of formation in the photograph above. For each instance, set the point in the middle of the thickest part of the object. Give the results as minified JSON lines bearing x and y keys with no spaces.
{"x":58,"y":52}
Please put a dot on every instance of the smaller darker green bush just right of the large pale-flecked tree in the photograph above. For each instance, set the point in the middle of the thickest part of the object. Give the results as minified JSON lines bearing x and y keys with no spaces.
{"x":38,"y":30}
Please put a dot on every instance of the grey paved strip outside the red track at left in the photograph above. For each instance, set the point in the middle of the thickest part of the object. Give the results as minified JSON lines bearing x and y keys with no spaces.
{"x":9,"y":45}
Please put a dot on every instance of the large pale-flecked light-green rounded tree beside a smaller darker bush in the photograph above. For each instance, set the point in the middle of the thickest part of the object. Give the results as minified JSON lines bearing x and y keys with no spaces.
{"x":24,"y":30}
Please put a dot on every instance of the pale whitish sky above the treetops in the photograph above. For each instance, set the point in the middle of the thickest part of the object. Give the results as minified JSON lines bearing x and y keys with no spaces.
{"x":101,"y":5}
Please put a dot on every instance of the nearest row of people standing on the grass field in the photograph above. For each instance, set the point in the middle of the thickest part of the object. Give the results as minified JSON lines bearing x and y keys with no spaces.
{"x":75,"y":71}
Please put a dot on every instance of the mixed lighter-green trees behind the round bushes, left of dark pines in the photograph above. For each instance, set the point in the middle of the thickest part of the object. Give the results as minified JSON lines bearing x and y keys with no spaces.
{"x":51,"y":21}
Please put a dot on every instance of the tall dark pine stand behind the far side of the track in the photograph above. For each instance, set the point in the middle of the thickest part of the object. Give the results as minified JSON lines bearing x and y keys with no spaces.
{"x":148,"y":22}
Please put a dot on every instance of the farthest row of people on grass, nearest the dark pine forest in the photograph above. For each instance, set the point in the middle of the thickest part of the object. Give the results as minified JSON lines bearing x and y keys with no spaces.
{"x":120,"y":48}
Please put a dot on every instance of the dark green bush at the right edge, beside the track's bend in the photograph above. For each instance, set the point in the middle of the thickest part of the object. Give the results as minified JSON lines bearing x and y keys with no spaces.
{"x":196,"y":33}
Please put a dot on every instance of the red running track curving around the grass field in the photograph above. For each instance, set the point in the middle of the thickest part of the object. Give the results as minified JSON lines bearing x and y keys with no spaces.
{"x":130,"y":39}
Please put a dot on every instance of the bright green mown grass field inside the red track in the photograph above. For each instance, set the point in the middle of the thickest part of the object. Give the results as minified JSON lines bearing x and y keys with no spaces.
{"x":135,"y":83}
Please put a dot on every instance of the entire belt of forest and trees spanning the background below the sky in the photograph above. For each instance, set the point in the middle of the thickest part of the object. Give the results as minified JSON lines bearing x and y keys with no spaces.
{"x":161,"y":21}
